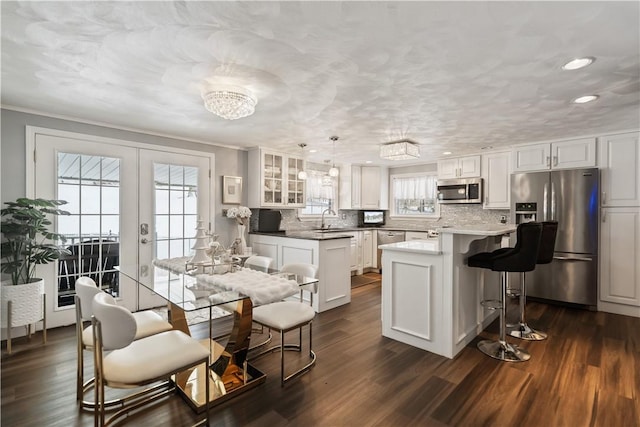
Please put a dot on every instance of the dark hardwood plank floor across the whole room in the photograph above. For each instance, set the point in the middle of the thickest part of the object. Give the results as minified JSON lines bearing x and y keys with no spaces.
{"x":586,"y":374}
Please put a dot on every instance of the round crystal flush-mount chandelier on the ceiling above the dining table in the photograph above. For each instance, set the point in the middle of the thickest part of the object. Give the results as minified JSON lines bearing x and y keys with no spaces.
{"x":230,"y":102}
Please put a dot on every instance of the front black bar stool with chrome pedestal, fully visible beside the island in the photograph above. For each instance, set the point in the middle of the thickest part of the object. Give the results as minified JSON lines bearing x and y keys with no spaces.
{"x":522,"y":257}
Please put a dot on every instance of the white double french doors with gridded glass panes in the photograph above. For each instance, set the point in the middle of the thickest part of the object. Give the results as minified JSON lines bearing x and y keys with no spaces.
{"x":127,"y":204}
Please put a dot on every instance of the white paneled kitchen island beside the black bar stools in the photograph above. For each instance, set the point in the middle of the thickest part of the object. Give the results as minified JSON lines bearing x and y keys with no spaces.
{"x":430,"y":297}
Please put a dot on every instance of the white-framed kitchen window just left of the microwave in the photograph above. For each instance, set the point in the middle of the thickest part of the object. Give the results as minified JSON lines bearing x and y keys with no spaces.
{"x":414,"y":195}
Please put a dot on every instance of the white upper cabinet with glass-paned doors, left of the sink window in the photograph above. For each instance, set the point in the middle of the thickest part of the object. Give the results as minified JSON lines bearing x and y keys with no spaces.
{"x":277,"y":183}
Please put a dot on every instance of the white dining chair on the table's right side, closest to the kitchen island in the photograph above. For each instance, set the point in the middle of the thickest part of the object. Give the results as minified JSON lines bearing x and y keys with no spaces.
{"x":285,"y":316}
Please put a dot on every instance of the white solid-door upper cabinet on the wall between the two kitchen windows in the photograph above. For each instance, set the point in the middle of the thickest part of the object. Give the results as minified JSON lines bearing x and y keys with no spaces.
{"x":364,"y":187}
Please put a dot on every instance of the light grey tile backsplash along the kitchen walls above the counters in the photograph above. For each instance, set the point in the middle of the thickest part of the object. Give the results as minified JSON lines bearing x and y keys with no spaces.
{"x":449,"y":215}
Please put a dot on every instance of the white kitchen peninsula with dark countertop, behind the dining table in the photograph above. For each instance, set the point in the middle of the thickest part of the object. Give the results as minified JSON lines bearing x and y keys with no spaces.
{"x":329,"y":251}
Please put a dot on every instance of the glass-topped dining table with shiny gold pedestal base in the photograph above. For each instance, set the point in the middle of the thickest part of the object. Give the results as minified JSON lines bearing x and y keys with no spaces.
{"x":185,"y":292}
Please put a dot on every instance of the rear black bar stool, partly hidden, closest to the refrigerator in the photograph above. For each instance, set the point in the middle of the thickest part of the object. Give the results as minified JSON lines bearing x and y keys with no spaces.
{"x":545,"y":256}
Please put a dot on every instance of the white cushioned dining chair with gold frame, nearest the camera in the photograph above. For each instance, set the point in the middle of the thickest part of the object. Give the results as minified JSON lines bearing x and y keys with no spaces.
{"x":135,"y":362}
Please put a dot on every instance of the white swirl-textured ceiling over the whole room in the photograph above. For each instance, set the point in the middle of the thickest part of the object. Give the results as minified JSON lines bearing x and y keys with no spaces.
{"x":452,"y":76}
